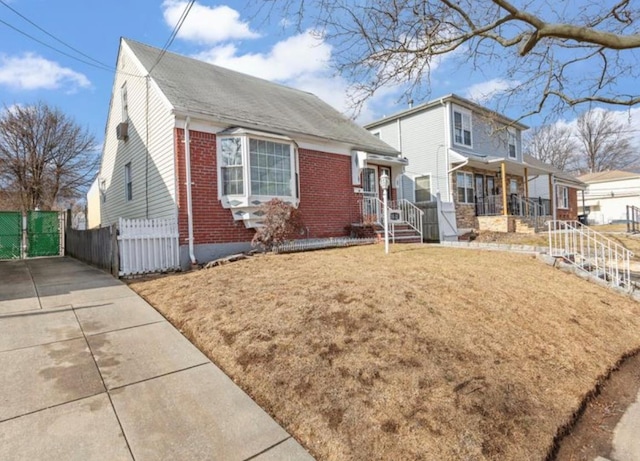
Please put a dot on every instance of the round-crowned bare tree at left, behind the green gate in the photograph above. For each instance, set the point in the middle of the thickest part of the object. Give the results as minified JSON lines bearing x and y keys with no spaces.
{"x":45,"y":157}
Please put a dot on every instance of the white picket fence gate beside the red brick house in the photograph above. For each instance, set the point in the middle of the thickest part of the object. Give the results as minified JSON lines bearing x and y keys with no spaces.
{"x":148,"y":245}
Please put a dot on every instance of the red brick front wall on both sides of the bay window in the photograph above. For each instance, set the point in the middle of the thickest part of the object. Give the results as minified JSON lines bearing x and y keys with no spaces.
{"x":327,"y":201}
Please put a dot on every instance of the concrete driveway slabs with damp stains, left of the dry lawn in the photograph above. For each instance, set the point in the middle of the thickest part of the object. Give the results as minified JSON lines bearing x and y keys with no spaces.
{"x":90,"y":371}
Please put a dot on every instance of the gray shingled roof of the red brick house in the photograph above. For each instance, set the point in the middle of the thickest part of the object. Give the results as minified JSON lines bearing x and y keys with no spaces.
{"x":196,"y":86}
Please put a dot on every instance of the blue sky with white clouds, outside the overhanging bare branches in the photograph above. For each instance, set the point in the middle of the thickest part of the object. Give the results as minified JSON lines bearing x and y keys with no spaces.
{"x":219,"y":32}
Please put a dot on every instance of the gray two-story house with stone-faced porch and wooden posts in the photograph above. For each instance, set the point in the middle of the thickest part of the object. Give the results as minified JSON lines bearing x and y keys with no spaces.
{"x":472,"y":157}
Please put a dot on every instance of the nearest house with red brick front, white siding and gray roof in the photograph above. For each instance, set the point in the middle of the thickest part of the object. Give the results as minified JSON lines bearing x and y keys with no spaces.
{"x":208,"y":146}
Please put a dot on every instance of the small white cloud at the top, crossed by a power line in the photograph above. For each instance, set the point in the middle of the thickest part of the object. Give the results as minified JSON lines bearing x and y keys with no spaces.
{"x":205,"y":24}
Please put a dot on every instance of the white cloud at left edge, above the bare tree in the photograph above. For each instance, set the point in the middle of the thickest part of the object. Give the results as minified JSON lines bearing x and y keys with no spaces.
{"x":32,"y":72}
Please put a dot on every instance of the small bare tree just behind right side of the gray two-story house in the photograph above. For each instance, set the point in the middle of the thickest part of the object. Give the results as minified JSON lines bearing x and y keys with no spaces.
{"x":553,"y":144}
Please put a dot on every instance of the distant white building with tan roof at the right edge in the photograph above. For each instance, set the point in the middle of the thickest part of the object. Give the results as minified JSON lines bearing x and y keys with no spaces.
{"x":607,"y":195}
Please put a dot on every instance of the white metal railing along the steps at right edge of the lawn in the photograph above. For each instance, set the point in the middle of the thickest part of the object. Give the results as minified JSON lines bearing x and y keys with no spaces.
{"x":591,"y":252}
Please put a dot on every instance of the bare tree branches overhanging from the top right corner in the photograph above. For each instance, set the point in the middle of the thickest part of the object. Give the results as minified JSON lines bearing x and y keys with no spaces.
{"x":550,"y":54}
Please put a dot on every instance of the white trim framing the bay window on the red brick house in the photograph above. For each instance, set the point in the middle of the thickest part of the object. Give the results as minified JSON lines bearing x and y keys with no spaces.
{"x":246,"y":166}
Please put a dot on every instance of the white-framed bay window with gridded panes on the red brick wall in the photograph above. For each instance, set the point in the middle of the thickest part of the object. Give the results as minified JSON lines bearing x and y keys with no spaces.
{"x":256,"y":166}
